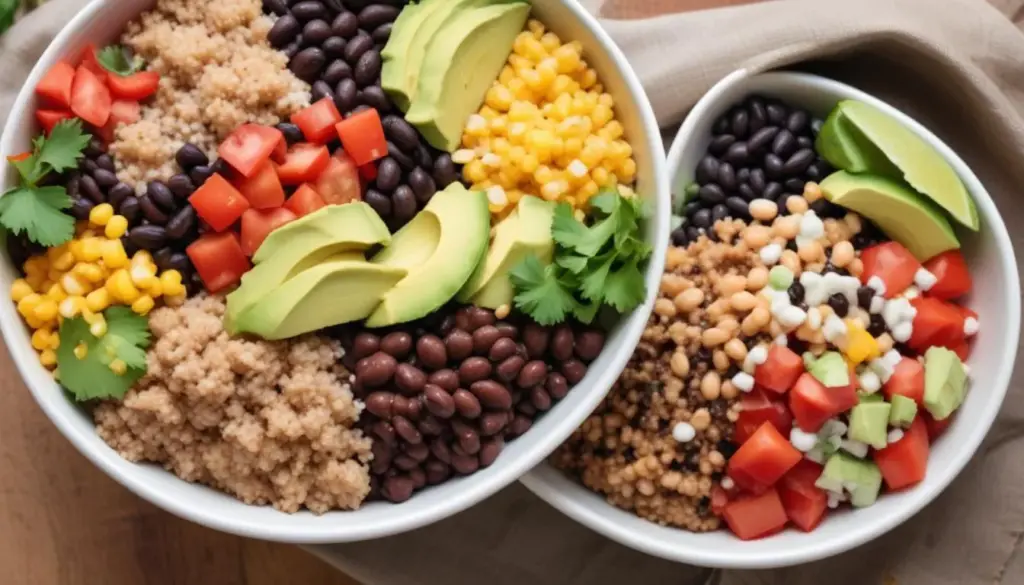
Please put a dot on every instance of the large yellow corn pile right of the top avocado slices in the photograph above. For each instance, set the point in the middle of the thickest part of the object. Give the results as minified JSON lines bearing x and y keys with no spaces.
{"x":546,"y":129}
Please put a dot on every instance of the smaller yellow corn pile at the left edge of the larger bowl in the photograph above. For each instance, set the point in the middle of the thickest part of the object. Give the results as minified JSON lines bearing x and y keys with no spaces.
{"x":87,"y":276}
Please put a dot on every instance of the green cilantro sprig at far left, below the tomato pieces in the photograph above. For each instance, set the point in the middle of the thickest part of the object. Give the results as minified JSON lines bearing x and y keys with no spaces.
{"x":33,"y":208}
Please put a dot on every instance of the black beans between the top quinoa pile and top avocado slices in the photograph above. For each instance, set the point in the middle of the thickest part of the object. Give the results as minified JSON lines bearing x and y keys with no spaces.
{"x":335,"y":47}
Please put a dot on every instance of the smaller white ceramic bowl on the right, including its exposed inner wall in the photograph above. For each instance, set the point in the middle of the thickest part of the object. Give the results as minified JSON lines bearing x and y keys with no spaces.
{"x":996,"y":298}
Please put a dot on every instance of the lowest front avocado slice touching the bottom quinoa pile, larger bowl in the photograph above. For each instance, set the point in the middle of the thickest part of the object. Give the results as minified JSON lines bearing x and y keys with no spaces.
{"x":342,"y":289}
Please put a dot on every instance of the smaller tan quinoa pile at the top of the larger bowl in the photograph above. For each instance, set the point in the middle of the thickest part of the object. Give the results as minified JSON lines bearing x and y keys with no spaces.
{"x":217,"y":72}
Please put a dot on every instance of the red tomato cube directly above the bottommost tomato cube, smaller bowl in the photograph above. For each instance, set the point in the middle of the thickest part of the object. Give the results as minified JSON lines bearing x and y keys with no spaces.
{"x":763,"y":459}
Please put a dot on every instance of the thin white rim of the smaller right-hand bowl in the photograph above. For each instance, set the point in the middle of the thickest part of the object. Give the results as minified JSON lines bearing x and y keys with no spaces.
{"x":560,"y":491}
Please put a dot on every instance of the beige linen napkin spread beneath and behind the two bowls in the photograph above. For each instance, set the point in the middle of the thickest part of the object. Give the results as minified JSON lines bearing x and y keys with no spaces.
{"x":955,"y":64}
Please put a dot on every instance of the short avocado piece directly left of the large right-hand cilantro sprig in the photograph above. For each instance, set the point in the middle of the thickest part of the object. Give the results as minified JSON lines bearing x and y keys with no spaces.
{"x":527,"y":231}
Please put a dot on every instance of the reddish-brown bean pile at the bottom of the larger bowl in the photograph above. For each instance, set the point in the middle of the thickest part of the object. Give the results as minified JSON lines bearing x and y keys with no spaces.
{"x":444,"y":395}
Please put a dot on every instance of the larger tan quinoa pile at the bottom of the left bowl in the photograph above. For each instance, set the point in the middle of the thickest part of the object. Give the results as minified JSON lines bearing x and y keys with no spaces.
{"x":270,"y":423}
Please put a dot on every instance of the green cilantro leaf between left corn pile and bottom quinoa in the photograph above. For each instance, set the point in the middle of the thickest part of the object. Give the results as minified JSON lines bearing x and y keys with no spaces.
{"x":92,"y":378}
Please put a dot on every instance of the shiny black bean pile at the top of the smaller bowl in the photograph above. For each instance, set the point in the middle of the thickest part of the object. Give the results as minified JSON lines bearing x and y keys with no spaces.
{"x":761,"y":149}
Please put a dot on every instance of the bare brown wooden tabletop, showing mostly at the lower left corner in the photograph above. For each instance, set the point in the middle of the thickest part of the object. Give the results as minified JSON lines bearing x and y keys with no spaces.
{"x":63,"y":522}
